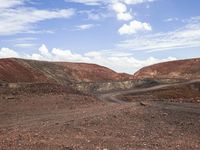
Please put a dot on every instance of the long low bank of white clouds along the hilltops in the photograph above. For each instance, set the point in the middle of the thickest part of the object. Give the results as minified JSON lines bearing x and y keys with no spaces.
{"x":118,"y":61}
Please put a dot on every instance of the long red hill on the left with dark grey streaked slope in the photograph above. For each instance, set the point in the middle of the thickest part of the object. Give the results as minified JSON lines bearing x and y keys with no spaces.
{"x":30,"y":71}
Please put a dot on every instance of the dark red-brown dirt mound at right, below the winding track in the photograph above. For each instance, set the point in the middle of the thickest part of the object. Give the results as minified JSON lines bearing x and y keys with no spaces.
{"x":182,"y":93}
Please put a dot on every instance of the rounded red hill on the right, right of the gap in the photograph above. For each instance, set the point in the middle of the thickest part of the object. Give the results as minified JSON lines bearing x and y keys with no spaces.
{"x":181,"y":69}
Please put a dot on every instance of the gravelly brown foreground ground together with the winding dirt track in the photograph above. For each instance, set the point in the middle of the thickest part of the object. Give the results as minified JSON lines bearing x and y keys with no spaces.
{"x":99,"y":125}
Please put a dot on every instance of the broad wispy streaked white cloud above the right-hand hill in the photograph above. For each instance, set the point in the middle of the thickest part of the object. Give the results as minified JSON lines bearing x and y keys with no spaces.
{"x":184,"y":37}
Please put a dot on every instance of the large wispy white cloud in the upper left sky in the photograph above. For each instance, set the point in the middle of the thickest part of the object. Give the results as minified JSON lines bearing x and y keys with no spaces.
{"x":23,"y":19}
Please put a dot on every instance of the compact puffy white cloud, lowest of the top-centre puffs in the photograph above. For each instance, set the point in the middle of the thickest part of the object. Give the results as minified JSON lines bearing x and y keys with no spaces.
{"x":133,"y":27}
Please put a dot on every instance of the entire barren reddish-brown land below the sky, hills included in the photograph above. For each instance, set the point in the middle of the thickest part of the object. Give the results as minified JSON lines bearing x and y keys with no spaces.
{"x":74,"y":106}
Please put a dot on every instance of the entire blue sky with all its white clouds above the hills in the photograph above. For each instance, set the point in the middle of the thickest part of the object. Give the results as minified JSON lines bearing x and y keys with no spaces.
{"x":124,"y":35}
